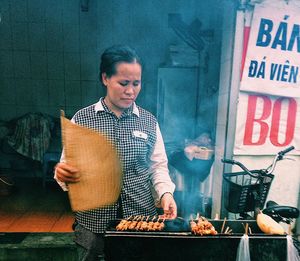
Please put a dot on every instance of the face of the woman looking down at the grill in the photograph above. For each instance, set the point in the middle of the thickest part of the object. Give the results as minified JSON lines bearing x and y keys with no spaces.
{"x":123,"y":87}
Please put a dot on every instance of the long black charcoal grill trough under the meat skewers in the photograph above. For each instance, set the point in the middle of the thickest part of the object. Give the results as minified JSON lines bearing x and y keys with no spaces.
{"x":177,"y":243}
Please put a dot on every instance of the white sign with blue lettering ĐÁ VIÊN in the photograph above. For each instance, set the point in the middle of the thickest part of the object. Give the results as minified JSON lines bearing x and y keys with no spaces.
{"x":272,"y":64}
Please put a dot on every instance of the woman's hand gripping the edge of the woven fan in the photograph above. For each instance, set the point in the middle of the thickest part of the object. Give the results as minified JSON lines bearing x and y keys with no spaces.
{"x":66,"y":173}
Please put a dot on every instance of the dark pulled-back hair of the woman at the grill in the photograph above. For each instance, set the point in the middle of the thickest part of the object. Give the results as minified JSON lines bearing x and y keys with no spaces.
{"x":114,"y":55}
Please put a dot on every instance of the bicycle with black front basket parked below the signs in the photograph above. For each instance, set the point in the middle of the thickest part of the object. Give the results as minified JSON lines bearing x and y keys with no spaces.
{"x":245,"y":193}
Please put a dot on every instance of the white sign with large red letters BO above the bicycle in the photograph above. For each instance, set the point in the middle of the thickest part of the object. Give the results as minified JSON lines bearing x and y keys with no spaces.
{"x":267,"y":124}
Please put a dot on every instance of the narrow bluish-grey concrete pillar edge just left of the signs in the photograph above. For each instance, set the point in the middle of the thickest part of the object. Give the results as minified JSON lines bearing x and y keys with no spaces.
{"x":224,"y":101}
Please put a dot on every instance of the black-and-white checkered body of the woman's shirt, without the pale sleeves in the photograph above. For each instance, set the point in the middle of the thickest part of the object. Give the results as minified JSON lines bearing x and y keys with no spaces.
{"x":134,"y":152}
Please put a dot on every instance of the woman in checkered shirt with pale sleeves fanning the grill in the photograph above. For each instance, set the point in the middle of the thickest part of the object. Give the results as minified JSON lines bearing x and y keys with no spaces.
{"x":136,"y":135}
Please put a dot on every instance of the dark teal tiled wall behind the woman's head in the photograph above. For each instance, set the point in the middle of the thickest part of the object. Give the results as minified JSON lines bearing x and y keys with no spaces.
{"x":49,"y":49}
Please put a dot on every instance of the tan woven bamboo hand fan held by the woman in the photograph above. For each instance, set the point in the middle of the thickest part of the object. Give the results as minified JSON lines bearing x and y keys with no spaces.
{"x":98,"y":165}
